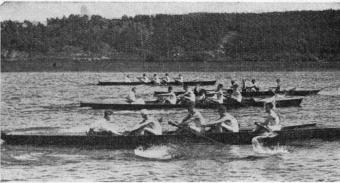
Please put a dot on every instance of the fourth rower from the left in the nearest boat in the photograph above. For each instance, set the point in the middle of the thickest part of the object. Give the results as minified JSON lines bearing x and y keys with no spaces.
{"x":226,"y":122}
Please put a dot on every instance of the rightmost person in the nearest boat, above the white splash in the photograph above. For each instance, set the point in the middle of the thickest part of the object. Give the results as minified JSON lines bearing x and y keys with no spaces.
{"x":272,"y":120}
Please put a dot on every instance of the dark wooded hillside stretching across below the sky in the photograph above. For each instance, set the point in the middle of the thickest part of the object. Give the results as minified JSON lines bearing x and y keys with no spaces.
{"x":228,"y":37}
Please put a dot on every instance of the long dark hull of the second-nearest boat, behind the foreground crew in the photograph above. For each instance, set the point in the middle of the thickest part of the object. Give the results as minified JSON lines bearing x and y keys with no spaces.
{"x":229,"y":104}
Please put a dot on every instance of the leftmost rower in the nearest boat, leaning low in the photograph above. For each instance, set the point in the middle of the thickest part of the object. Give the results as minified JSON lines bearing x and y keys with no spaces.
{"x":103,"y":126}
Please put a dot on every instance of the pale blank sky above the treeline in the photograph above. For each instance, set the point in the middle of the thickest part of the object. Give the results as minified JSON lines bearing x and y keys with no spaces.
{"x":41,"y":10}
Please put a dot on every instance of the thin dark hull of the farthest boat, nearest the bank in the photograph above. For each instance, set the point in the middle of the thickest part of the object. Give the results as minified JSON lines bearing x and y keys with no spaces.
{"x":192,"y":83}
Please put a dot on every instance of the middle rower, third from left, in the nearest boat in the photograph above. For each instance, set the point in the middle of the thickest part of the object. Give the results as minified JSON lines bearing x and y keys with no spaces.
{"x":194,"y":120}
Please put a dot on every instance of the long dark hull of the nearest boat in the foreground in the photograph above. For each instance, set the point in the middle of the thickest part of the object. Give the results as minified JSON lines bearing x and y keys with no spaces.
{"x":127,"y":142}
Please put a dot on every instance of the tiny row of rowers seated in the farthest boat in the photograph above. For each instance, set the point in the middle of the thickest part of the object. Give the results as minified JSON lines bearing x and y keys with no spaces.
{"x":155,"y":79}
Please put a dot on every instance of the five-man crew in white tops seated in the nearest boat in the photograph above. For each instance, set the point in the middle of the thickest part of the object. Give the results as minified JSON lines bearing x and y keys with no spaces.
{"x":193,"y":121}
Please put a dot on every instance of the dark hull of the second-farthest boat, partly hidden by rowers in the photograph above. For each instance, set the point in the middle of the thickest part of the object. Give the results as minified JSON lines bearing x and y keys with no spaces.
{"x":264,"y":93}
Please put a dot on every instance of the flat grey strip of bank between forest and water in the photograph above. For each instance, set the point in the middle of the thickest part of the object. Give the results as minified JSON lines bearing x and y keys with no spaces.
{"x":175,"y":66}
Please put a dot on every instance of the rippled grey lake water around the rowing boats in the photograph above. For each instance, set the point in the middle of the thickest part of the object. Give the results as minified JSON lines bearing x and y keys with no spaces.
{"x":43,"y":102}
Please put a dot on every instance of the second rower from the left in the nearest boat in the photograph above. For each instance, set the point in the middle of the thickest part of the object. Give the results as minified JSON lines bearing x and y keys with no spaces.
{"x":148,"y":125}
